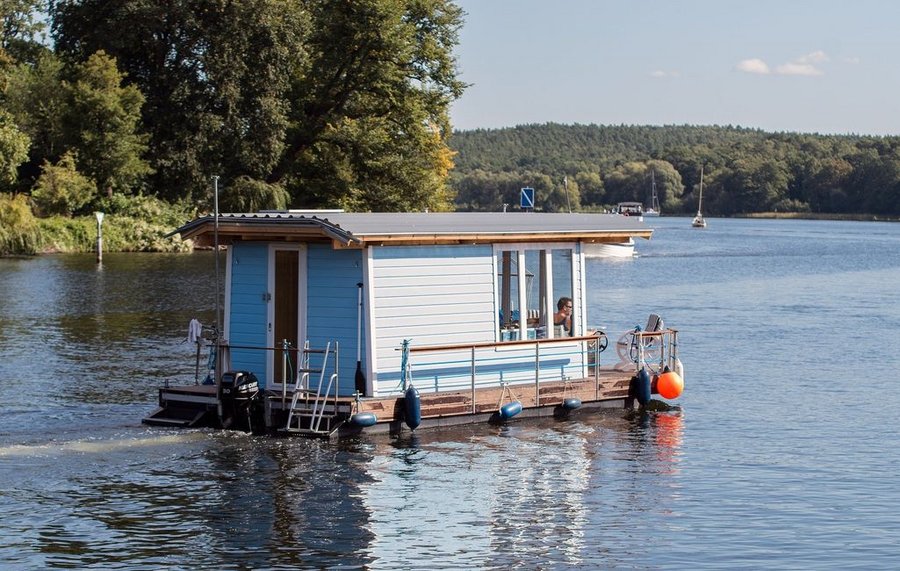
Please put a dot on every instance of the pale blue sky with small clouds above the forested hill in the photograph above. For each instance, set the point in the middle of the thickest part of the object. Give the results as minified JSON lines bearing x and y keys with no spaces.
{"x":810,"y":66}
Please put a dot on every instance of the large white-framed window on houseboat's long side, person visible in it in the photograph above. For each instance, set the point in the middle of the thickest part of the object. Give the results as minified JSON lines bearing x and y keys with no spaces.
{"x":530,"y":285}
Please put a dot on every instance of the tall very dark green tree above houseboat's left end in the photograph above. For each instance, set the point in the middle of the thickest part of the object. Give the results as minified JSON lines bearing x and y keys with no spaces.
{"x":215,"y":75}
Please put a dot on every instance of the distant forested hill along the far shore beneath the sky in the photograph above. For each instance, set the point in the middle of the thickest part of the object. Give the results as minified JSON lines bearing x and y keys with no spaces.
{"x":745,"y":171}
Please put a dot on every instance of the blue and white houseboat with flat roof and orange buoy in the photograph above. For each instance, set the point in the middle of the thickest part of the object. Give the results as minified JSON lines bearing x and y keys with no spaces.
{"x":335,"y":323}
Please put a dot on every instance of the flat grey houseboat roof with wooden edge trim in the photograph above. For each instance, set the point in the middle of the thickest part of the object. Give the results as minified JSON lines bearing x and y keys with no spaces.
{"x":358,"y":230}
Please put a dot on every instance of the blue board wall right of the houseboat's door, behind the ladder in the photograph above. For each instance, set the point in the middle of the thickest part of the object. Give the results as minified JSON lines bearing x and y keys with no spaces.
{"x":332,"y":306}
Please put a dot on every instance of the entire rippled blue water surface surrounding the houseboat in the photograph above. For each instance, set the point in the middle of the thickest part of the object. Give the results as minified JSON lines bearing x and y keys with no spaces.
{"x":781,"y":454}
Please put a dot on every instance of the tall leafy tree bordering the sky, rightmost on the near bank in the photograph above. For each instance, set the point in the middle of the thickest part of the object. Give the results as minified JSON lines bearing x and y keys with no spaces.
{"x":372,"y":123}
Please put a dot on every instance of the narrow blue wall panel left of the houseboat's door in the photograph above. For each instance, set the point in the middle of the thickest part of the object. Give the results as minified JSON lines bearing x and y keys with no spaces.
{"x":248,"y":318}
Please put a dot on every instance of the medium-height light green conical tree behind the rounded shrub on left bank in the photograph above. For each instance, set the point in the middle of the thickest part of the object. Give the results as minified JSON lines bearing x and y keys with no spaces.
{"x":102,"y":124}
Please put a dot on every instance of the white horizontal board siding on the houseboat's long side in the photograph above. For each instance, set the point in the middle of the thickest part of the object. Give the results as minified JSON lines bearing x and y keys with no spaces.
{"x":445,"y":295}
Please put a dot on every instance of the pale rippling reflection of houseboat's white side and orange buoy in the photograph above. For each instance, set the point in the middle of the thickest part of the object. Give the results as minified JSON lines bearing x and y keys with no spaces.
{"x":514,"y":494}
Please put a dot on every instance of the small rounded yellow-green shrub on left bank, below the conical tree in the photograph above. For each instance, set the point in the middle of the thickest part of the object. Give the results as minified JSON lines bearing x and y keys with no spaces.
{"x":61,"y":189}
